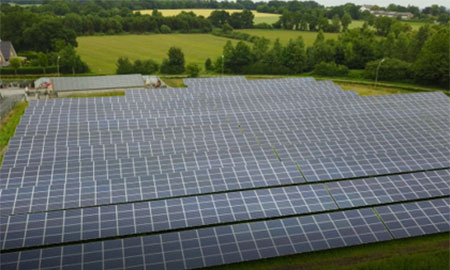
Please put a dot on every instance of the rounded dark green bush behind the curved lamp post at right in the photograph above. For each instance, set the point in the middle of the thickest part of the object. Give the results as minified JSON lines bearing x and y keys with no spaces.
{"x":390,"y":70}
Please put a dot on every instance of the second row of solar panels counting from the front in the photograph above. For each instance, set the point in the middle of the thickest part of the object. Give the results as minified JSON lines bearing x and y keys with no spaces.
{"x":45,"y":228}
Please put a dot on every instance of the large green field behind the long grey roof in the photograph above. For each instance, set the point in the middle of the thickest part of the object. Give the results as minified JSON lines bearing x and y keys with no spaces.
{"x":101,"y":52}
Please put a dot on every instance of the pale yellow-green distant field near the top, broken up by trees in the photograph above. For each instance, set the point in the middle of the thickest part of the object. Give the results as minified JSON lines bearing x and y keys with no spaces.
{"x":259,"y":17}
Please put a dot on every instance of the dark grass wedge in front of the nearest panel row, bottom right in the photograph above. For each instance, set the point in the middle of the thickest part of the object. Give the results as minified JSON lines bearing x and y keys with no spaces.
{"x":426,"y":252}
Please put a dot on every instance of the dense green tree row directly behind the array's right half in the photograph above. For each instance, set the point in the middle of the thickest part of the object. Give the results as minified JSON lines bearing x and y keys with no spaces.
{"x":423,"y":55}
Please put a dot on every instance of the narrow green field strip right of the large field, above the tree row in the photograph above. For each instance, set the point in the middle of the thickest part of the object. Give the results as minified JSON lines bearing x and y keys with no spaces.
{"x":286,"y":35}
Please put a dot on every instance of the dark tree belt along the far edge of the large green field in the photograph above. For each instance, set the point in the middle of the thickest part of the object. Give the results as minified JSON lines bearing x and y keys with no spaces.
{"x":37,"y":31}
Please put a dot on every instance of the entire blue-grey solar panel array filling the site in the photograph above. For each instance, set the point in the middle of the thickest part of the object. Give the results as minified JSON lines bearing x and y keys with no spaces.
{"x":226,"y":170}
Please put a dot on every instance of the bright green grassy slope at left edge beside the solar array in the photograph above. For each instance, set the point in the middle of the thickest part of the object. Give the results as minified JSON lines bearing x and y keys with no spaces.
{"x":8,"y":126}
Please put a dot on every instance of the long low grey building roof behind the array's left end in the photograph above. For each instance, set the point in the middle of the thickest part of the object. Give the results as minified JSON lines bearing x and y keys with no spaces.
{"x":94,"y":82}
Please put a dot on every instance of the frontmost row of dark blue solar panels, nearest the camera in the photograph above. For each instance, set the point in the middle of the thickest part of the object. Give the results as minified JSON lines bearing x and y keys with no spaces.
{"x":242,"y":242}
